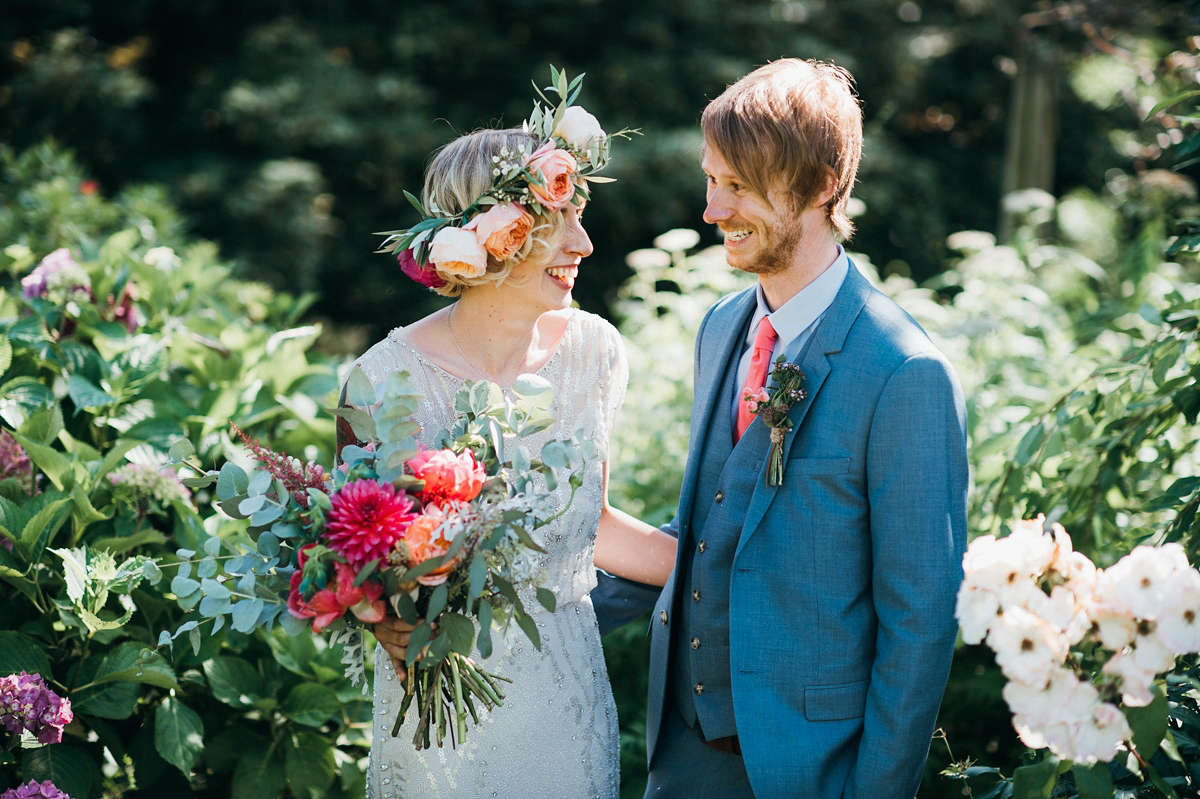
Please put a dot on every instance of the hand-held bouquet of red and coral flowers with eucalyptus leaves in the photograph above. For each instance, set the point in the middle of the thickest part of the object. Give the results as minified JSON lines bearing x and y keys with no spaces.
{"x":443,"y":538}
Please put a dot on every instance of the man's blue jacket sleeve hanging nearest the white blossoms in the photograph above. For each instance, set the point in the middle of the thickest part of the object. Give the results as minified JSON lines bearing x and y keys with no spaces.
{"x":917,"y":476}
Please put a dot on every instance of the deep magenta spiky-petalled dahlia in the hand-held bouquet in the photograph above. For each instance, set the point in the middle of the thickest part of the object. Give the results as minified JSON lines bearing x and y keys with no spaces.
{"x":368,"y":519}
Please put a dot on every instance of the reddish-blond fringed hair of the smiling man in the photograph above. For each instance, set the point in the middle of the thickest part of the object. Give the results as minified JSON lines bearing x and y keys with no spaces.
{"x":789,"y":122}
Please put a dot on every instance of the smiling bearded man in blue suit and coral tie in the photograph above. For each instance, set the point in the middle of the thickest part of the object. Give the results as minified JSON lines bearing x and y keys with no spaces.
{"x":803,"y":642}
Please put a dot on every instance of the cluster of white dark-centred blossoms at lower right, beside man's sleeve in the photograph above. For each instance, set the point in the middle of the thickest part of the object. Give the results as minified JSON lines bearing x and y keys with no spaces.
{"x":1084,"y":650}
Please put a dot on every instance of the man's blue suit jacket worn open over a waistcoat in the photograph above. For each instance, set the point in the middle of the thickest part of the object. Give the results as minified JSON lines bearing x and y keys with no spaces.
{"x":844,"y":580}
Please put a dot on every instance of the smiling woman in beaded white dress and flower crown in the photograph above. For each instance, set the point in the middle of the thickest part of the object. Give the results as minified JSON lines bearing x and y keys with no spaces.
{"x":506,"y":208}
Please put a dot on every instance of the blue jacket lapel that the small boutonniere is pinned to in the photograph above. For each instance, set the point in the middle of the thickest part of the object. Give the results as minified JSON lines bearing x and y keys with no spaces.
{"x":827,"y":340}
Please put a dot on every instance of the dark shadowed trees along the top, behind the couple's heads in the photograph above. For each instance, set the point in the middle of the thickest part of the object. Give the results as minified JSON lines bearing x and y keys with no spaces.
{"x":286,"y":131}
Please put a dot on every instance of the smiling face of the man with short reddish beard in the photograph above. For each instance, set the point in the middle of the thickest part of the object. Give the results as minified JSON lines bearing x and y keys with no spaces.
{"x":763,"y":235}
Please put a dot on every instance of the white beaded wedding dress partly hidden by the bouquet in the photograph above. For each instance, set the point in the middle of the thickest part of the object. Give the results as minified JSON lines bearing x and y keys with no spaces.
{"x":556,"y":735}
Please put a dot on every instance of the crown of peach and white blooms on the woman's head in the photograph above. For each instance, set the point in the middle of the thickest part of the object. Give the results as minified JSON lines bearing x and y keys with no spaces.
{"x":538,"y":181}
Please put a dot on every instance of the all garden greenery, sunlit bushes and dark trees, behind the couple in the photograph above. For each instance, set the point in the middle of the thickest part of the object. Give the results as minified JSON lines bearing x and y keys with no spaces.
{"x":286,"y":131}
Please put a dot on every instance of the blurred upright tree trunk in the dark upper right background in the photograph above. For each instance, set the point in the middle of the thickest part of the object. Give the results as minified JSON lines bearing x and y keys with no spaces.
{"x":1033,"y":124}
